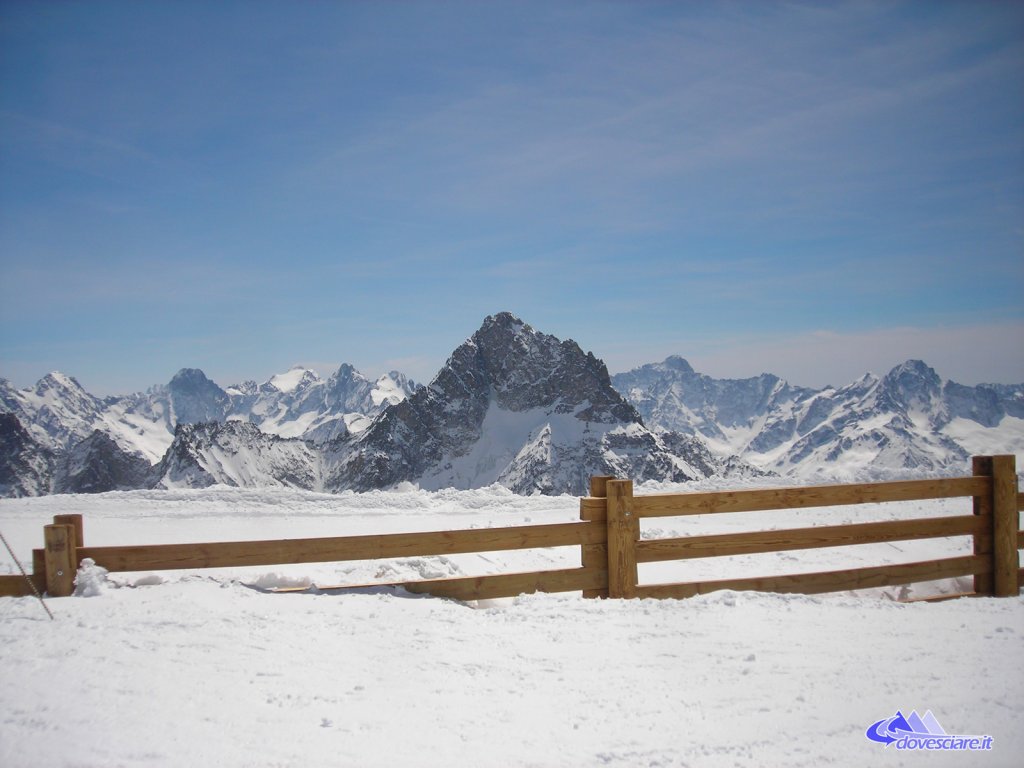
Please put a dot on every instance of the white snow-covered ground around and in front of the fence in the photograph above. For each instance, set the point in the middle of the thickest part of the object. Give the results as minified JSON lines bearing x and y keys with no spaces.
{"x":184,"y":669}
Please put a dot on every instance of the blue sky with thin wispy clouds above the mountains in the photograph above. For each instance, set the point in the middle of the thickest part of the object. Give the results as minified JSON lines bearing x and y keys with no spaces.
{"x":816,"y":190}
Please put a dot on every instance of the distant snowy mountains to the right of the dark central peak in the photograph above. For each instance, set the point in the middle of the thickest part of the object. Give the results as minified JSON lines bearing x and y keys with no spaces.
{"x":909,"y":420}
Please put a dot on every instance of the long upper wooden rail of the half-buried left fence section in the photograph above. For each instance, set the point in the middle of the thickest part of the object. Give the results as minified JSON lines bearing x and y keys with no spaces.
{"x":234,"y":554}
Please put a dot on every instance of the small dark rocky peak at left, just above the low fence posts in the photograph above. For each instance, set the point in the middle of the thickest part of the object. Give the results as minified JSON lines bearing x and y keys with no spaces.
{"x":98,"y":464}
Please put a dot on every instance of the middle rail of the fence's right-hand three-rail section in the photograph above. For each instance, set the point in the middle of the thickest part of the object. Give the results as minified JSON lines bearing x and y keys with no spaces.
{"x":657,"y":550}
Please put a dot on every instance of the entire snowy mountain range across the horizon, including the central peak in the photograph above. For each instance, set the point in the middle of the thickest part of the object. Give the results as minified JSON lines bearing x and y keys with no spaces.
{"x":511,"y":406}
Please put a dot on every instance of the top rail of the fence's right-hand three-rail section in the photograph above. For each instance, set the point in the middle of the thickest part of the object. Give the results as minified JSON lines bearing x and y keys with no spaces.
{"x":814,"y":496}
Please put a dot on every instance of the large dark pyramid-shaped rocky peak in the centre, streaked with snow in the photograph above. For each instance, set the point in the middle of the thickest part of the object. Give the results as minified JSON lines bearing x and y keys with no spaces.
{"x":511,"y":406}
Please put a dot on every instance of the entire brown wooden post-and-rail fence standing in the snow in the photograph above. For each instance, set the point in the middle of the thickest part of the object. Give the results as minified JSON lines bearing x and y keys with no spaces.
{"x":609,"y":535}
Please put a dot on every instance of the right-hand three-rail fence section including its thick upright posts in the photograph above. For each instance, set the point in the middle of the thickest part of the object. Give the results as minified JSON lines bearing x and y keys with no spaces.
{"x":994,"y":528}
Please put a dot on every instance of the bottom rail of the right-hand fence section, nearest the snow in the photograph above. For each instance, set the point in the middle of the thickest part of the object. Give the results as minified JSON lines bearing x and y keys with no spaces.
{"x":839,"y":581}
